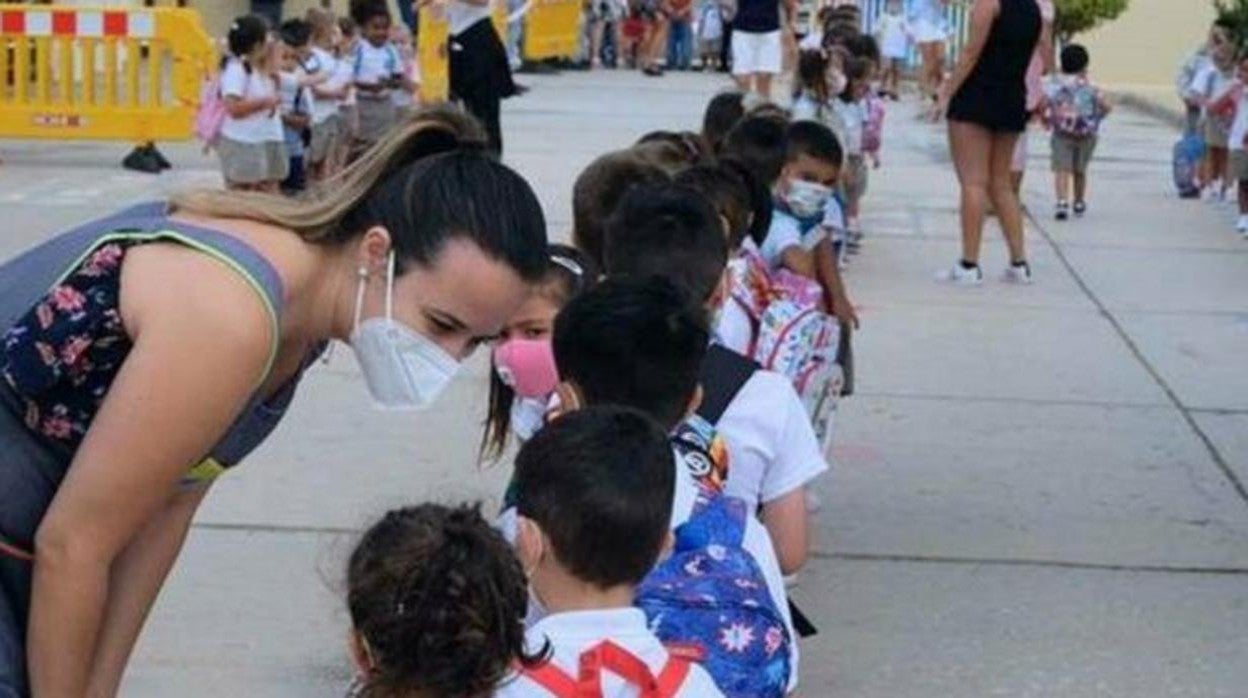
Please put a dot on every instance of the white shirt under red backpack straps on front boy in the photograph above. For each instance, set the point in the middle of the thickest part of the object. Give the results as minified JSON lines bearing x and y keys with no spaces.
{"x":571,"y":635}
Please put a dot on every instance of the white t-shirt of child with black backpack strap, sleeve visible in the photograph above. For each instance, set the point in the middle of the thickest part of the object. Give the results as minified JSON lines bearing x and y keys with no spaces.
{"x":772,"y":446}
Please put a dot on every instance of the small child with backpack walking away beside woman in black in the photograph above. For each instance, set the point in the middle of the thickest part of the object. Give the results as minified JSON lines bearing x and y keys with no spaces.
{"x":1076,"y":109}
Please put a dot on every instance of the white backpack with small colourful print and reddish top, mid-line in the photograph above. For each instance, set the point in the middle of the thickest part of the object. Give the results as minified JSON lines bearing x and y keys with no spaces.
{"x":793,"y":335}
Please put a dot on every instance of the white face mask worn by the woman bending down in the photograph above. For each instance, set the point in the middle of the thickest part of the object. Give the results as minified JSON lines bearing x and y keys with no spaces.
{"x":404,"y":369}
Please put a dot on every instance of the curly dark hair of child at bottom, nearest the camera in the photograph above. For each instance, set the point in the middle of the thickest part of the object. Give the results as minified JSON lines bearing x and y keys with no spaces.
{"x":440,"y":600}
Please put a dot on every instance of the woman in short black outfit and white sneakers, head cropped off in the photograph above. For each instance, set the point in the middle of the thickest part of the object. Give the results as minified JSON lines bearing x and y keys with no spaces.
{"x":985,"y":102}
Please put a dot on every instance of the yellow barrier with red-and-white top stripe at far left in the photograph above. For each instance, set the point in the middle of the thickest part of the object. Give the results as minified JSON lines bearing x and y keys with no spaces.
{"x":95,"y":74}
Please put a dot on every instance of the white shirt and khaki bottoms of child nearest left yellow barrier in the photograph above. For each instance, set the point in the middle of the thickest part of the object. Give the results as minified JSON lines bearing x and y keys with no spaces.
{"x":253,"y":149}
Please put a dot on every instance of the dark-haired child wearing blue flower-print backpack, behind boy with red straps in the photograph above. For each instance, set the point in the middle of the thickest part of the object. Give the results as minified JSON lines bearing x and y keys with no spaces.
{"x":642,"y":344}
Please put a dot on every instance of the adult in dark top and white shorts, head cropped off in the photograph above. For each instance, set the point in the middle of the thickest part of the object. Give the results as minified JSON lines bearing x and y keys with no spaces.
{"x":758,"y":42}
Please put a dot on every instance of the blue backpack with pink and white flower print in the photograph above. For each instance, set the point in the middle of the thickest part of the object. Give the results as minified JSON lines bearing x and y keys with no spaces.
{"x":711,"y":600}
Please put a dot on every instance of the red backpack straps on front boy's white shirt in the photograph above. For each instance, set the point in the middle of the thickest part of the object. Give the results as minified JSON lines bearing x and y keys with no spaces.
{"x":608,"y":656}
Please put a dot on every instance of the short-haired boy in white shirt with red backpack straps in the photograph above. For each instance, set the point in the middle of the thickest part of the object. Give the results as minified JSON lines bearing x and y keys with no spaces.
{"x":595,"y":501}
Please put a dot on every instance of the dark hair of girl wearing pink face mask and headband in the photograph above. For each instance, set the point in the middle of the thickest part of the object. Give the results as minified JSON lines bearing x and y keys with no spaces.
{"x":568,"y":275}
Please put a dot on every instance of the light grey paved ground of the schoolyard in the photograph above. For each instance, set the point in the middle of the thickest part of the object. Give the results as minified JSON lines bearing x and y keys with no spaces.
{"x":1036,"y":491}
